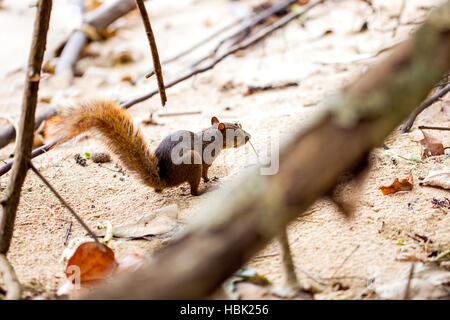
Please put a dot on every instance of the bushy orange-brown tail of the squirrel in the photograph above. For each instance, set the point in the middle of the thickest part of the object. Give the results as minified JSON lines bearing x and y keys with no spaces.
{"x":116,"y":127}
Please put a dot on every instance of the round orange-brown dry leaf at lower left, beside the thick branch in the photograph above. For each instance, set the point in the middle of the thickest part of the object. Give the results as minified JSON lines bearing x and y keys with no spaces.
{"x":94,"y":264}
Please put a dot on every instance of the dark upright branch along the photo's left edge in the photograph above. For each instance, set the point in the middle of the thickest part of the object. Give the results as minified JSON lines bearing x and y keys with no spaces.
{"x":26,"y":129}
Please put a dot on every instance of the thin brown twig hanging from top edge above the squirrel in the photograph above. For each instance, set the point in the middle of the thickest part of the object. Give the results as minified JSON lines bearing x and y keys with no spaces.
{"x":154,"y":49}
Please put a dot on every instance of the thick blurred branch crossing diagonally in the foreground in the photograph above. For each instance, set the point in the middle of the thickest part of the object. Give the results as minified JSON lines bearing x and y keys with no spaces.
{"x":354,"y":122}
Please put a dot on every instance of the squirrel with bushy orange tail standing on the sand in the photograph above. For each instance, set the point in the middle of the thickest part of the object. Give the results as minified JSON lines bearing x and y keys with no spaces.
{"x":182,"y":156}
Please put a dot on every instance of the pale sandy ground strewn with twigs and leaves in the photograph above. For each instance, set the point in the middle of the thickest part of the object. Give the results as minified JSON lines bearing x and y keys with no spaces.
{"x":321,"y":241}
